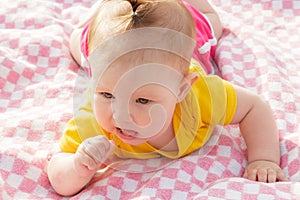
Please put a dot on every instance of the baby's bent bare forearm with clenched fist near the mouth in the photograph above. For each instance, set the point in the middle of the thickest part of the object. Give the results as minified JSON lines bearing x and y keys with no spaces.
{"x":69,"y":173}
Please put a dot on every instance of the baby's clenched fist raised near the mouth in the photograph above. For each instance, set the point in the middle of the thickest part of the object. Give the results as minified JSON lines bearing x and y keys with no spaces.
{"x":91,"y":153}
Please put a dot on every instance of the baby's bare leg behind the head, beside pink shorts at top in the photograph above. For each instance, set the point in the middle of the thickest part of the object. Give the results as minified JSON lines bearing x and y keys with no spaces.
{"x":204,"y":7}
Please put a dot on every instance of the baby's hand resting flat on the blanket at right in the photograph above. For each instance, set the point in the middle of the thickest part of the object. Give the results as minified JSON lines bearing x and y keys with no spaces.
{"x":264,"y":171}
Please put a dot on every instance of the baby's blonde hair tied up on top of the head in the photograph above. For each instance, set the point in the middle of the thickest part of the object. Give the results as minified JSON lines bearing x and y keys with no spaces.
{"x":117,"y":16}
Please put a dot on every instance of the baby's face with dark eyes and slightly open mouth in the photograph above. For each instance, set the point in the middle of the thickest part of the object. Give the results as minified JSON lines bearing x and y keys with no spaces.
{"x":137,"y":102}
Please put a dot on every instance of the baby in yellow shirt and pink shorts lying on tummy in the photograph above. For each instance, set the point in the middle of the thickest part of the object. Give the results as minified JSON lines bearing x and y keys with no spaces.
{"x":149,"y":95}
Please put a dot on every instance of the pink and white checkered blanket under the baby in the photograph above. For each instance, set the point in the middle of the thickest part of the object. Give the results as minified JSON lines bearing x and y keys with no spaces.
{"x":260,"y":50}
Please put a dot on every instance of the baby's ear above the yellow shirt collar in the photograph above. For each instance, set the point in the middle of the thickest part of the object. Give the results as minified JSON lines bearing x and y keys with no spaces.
{"x":186,"y":85}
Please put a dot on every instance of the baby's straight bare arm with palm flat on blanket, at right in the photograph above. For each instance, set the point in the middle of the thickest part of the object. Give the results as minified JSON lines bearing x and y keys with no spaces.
{"x":259,"y":130}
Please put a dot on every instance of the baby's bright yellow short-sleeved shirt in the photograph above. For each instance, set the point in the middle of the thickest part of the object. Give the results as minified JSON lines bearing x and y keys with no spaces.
{"x":211,"y":101}
